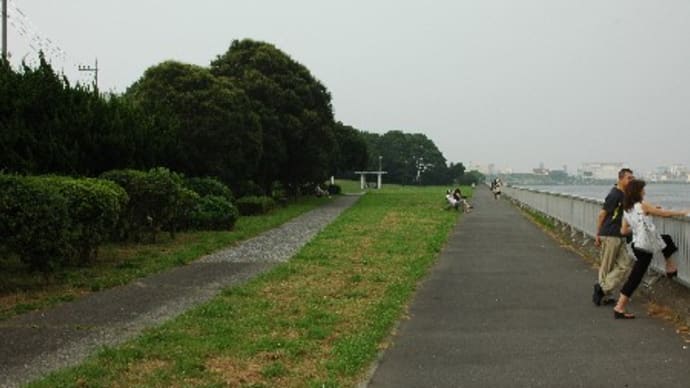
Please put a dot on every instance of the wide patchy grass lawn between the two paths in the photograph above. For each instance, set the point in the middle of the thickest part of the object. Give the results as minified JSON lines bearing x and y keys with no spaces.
{"x":318,"y":320}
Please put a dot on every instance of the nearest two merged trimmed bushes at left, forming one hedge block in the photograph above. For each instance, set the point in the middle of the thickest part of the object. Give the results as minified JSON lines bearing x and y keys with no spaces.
{"x":48,"y":221}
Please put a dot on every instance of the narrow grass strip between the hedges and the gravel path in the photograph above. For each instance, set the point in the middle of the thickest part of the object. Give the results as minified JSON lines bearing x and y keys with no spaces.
{"x":21,"y":291}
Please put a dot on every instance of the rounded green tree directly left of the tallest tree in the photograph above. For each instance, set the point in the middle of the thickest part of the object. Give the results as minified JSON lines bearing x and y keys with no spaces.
{"x":206,"y":124}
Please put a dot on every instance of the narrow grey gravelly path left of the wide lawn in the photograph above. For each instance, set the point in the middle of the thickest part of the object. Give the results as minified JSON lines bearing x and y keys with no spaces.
{"x":38,"y":342}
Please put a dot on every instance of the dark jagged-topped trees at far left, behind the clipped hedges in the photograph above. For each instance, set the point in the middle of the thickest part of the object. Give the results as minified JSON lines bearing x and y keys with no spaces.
{"x":47,"y":125}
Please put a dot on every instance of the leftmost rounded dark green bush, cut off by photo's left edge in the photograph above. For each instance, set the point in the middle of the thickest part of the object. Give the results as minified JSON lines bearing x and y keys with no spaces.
{"x":34,"y":222}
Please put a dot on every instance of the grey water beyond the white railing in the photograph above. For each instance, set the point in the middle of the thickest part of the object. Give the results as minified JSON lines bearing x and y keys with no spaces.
{"x":669,"y":195}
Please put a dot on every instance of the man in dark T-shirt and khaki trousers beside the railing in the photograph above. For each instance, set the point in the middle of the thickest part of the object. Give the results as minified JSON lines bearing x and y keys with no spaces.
{"x":614,"y":260}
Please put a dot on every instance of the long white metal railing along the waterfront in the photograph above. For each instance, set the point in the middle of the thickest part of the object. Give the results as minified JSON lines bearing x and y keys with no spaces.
{"x":581,"y":214}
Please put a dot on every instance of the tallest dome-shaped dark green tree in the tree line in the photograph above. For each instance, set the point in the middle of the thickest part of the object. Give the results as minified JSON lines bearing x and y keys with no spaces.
{"x":295,"y":110}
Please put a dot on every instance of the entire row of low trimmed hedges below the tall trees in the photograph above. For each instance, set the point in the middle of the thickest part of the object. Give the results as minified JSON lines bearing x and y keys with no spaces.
{"x":49,"y":221}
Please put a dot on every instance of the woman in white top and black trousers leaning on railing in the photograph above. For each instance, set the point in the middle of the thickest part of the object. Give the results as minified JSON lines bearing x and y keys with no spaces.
{"x":636,"y":218}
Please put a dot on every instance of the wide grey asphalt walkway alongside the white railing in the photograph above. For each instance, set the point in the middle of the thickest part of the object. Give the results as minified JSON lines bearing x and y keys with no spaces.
{"x":506,"y":306}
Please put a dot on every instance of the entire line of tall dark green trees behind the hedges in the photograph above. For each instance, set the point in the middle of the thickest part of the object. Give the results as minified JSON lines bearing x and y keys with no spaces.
{"x":254,"y":116}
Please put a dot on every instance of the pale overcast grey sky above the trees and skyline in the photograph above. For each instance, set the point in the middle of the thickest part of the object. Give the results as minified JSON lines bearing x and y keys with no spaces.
{"x":507,"y":82}
